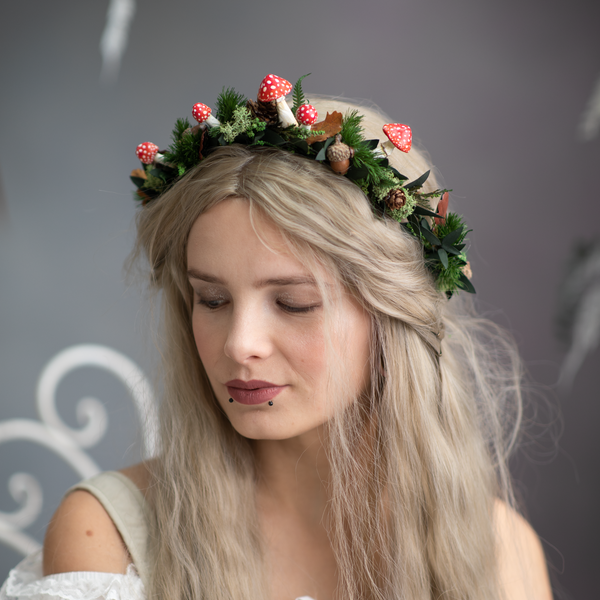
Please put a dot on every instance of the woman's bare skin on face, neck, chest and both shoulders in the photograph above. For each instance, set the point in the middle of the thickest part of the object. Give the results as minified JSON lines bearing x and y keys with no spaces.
{"x":248,"y":329}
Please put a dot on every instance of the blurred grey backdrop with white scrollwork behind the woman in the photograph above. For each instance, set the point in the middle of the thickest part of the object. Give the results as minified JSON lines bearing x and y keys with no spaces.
{"x":505,"y":97}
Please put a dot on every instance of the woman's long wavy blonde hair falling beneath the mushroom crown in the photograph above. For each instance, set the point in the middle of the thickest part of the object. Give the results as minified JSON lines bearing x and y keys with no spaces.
{"x":416,"y":461}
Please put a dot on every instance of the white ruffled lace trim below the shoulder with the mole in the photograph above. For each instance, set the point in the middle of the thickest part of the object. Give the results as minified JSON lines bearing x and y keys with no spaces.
{"x":26,"y":581}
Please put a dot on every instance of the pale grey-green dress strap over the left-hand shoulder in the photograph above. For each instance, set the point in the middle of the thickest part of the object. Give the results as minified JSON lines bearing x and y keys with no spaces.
{"x":129,"y":511}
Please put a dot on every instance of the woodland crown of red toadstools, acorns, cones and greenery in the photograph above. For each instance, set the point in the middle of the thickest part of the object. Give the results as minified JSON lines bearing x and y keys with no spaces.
{"x":337,"y":141}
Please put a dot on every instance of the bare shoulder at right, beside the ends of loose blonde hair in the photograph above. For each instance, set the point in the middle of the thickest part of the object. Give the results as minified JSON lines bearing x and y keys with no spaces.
{"x":522,"y":564}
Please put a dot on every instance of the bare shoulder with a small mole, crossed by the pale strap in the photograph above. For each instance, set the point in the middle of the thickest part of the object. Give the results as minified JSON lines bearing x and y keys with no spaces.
{"x":82,"y":537}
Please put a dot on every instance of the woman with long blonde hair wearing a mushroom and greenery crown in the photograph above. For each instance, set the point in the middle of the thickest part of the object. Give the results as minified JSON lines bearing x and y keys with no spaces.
{"x":319,"y":437}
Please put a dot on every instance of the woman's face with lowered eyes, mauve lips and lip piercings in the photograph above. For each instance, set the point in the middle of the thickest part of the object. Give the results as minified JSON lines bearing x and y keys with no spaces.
{"x":258,"y":318}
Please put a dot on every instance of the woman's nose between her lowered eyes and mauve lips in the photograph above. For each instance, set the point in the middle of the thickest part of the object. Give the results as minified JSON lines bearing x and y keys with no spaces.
{"x":249,"y":334}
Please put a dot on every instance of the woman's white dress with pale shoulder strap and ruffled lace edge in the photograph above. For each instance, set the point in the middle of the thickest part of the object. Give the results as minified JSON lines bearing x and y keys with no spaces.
{"x":128,"y":509}
